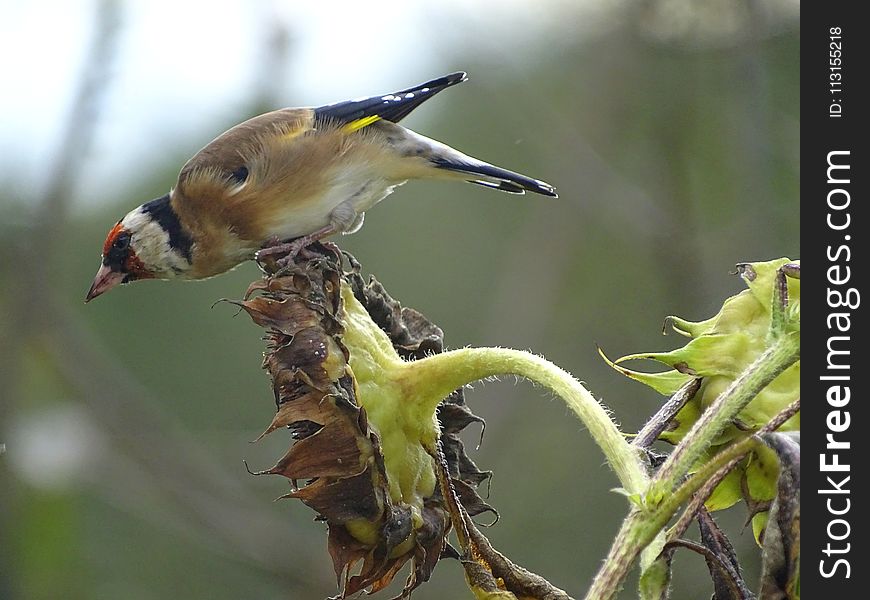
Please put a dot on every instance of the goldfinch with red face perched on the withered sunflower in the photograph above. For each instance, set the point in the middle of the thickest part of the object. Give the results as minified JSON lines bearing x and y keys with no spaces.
{"x":283,"y":180}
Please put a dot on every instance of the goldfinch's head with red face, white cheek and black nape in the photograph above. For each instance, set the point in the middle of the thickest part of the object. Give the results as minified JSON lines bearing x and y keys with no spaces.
{"x":146,"y":244}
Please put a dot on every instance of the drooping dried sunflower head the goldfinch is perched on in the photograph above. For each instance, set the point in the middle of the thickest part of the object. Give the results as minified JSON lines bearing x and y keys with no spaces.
{"x":365,"y":448}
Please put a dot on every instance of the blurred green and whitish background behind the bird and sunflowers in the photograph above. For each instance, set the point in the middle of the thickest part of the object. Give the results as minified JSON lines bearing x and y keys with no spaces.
{"x":669,"y":127}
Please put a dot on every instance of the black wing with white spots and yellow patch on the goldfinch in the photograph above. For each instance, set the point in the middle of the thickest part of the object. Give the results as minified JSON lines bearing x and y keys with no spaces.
{"x":356,"y":114}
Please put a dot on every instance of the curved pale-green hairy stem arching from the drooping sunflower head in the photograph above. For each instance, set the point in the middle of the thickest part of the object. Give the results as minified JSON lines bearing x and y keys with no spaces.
{"x":451,"y":370}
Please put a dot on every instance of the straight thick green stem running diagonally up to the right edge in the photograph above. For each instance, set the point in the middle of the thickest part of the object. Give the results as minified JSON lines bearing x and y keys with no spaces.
{"x":643,"y":525}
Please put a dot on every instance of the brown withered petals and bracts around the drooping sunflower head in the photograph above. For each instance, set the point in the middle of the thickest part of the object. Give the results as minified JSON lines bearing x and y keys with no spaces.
{"x":334,"y":450}
